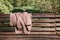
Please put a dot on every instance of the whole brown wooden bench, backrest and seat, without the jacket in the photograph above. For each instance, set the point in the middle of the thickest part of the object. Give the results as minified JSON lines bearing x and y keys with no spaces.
{"x":46,"y":26}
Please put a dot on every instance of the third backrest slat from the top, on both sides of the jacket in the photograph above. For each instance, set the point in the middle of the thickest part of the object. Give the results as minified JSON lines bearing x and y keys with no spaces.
{"x":37,"y":24}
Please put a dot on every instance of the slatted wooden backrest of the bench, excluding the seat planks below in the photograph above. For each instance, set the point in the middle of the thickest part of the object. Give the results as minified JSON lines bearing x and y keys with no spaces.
{"x":42,"y":24}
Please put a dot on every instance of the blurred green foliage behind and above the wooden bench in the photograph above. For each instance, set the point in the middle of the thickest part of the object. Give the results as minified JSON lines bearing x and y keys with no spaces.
{"x":31,"y":6}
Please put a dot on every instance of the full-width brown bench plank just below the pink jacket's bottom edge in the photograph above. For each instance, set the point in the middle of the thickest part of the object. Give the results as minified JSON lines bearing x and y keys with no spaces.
{"x":29,"y":36}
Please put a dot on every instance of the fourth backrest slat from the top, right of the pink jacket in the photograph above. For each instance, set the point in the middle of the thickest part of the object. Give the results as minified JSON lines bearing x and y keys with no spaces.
{"x":38,"y":29}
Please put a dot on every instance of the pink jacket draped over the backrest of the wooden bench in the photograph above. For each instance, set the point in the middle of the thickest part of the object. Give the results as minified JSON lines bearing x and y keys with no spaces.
{"x":22,"y":21}
